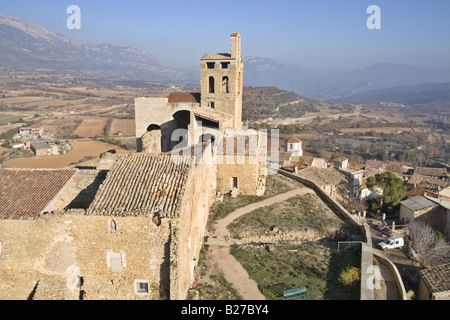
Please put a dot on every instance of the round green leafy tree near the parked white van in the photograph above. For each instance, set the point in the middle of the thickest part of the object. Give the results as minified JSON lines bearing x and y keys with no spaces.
{"x":389,"y":188}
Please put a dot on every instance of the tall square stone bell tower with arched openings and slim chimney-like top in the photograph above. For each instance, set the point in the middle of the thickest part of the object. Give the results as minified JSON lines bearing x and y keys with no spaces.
{"x":222,"y":81}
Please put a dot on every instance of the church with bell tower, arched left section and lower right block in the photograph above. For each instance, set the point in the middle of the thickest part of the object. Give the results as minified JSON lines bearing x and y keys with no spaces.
{"x":185,"y":119}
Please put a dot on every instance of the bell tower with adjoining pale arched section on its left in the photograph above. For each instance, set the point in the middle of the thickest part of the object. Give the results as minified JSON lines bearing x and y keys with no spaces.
{"x":184,"y":118}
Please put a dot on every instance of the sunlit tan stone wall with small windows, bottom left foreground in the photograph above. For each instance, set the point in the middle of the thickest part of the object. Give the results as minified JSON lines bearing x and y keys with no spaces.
{"x":64,"y":248}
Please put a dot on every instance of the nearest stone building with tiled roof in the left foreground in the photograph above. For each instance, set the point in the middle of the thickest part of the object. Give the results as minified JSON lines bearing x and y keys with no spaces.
{"x":139,"y":238}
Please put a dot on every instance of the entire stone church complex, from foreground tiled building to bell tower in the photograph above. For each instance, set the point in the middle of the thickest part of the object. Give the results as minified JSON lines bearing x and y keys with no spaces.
{"x":133,"y":227}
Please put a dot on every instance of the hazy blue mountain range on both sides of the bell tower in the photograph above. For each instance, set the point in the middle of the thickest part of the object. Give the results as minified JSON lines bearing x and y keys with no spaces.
{"x":26,"y":46}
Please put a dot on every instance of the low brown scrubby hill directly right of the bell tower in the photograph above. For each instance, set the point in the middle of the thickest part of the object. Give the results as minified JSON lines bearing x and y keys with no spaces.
{"x":270,"y":102}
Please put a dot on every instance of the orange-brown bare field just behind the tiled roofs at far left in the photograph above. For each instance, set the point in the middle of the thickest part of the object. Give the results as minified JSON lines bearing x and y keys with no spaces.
{"x":81,"y":151}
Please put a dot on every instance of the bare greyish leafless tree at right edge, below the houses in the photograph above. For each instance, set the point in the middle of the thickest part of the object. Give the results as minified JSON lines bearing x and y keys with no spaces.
{"x":432,"y":249}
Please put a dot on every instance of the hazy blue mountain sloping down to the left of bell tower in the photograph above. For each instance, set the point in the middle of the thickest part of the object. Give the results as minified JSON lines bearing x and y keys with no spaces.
{"x":26,"y":46}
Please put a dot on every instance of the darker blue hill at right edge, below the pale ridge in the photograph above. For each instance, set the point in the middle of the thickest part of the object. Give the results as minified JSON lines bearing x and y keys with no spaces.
{"x":430,"y":97}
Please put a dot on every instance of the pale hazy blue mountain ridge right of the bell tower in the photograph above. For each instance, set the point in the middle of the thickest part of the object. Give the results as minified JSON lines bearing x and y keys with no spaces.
{"x":266,"y":72}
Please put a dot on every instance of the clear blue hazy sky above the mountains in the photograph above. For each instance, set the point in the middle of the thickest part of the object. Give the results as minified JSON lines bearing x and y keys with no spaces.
{"x":319,"y":34}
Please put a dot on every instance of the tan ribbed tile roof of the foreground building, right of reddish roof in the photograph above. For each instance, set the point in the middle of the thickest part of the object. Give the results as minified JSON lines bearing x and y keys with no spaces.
{"x":141,"y":184}
